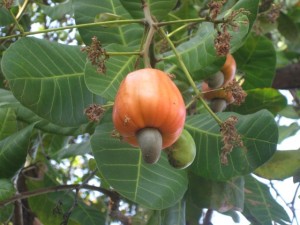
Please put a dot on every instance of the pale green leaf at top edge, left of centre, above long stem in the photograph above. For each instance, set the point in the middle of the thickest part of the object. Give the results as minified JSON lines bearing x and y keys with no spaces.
{"x":58,"y":11}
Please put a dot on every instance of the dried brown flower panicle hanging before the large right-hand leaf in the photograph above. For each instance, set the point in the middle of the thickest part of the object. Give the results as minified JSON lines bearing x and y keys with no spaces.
{"x":230,"y":138}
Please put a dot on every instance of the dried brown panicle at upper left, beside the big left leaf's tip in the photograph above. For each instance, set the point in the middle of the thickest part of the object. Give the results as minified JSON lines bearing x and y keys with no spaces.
{"x":96,"y":54}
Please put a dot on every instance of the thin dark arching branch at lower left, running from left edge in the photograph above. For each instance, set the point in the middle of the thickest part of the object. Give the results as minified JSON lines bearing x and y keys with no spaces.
{"x":28,"y":194}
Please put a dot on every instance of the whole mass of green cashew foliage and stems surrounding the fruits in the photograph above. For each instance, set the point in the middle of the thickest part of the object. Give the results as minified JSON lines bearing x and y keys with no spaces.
{"x":60,"y":156}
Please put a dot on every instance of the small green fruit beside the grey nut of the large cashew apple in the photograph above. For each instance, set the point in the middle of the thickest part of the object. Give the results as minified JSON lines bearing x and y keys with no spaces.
{"x":183,"y":152}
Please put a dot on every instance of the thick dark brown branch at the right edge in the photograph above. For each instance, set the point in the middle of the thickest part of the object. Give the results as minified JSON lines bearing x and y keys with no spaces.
{"x":287,"y":77}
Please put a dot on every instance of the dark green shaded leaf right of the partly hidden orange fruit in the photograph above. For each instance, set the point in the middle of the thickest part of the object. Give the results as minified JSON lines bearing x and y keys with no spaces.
{"x":256,"y":60}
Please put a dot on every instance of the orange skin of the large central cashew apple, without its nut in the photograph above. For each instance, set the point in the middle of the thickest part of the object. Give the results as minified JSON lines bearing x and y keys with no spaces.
{"x":149,"y":98}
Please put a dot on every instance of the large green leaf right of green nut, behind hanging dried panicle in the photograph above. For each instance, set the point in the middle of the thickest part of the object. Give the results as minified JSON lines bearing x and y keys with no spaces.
{"x":259,"y":133}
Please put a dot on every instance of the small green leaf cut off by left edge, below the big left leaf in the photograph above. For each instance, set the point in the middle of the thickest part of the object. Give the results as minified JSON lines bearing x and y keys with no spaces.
{"x":8,"y":122}
